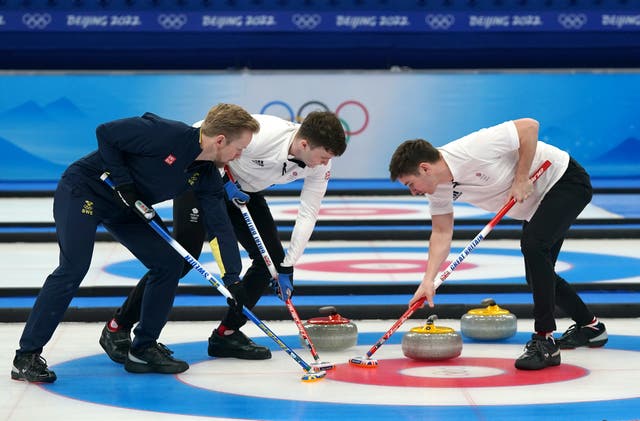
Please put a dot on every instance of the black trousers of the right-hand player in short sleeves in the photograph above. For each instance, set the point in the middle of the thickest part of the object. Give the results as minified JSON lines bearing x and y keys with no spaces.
{"x":541,"y":241}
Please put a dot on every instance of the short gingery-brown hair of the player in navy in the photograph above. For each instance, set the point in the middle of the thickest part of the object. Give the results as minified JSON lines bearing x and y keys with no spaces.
{"x":229,"y":120}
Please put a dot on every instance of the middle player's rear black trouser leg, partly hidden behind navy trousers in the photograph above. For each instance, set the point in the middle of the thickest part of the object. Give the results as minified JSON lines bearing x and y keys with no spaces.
{"x":188,"y":230}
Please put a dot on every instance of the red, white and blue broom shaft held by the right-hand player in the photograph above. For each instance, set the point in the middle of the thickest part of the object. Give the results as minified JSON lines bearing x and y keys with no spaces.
{"x":454,"y":264}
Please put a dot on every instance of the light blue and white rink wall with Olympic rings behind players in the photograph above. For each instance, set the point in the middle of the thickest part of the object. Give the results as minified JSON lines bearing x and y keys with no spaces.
{"x":47,"y":120}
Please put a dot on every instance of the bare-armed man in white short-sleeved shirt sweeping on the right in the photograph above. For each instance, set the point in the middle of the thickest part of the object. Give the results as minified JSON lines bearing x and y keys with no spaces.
{"x":486,"y":168}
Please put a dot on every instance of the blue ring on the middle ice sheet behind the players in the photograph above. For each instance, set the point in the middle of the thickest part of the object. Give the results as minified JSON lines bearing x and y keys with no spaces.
{"x":586,"y":267}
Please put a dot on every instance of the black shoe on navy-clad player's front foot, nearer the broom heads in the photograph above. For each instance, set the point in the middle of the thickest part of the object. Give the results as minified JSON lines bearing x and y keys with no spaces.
{"x":156,"y":358}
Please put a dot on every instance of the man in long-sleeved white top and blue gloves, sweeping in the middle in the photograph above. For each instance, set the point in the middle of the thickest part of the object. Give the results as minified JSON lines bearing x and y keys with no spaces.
{"x":281,"y":152}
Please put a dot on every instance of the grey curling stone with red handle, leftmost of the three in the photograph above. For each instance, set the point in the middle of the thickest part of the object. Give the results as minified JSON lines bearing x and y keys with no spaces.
{"x":332,"y":332}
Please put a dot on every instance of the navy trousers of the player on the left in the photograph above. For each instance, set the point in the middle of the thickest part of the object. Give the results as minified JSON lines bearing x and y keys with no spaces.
{"x":80,"y":205}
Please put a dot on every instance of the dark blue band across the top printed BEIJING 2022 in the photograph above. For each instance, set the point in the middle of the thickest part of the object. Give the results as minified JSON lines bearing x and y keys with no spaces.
{"x":450,"y":34}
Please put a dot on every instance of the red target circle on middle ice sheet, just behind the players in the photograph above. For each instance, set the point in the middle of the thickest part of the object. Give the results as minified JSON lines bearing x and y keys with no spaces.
{"x":382,"y":265}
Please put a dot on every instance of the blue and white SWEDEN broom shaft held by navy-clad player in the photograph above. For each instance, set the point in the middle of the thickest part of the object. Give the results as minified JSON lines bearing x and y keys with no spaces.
{"x":217,"y":284}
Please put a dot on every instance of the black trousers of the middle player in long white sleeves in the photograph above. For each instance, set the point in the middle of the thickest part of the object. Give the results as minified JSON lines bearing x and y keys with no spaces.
{"x":191,"y":236}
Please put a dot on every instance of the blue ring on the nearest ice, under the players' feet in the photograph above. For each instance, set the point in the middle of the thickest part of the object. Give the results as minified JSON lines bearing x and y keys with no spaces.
{"x":109,"y":385}
